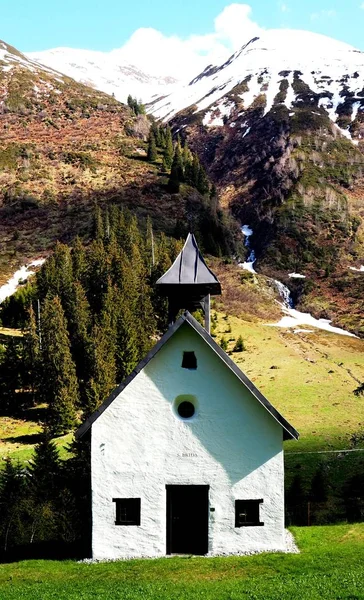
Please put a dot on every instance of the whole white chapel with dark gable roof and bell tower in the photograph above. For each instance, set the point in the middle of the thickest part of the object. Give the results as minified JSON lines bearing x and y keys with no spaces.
{"x":186,"y":454}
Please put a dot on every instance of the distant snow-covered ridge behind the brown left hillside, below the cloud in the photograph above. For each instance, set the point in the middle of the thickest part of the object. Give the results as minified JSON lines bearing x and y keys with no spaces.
{"x":105,"y":72}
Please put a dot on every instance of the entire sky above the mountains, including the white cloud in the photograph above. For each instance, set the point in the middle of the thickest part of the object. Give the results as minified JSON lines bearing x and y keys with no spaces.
{"x":152,"y":32}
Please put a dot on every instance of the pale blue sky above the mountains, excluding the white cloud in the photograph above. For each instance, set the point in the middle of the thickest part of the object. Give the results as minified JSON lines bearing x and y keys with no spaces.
{"x":33,"y":25}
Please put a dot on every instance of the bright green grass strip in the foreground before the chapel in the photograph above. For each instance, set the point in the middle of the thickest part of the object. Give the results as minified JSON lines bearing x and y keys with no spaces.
{"x":330,"y":567}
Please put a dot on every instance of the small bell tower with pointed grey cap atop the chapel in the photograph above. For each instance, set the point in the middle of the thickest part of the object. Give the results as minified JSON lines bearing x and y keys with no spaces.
{"x":189,"y":283}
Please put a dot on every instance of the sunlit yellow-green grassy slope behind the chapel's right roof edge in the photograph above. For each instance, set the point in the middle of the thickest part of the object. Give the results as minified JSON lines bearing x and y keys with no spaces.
{"x":314,"y":374}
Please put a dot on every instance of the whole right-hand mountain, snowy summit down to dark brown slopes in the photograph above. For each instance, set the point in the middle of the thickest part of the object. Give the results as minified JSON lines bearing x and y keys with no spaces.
{"x":280,"y":129}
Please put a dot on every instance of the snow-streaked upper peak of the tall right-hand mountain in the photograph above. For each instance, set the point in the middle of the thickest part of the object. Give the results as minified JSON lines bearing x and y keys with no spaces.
{"x":276,"y":67}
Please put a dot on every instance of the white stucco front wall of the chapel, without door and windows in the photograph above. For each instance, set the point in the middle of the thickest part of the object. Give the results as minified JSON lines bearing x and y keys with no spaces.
{"x":232,"y":444}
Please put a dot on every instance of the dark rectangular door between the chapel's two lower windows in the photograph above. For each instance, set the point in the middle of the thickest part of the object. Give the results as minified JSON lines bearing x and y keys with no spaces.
{"x":187,"y":519}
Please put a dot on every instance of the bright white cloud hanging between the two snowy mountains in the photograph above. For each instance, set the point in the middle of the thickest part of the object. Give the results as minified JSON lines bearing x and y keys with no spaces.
{"x":159,"y":54}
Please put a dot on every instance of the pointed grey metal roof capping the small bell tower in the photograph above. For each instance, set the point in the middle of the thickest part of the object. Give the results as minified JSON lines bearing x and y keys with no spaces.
{"x":190,"y":268}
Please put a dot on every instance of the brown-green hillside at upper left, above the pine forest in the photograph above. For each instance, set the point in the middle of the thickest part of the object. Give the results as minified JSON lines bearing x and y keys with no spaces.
{"x":65,"y":147}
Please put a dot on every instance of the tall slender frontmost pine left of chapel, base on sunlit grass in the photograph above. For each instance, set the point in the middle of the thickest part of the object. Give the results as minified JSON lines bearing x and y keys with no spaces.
{"x":59,"y":387}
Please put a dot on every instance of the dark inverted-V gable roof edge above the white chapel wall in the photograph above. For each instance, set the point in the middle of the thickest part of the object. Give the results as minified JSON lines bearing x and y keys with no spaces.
{"x":289,"y":432}
